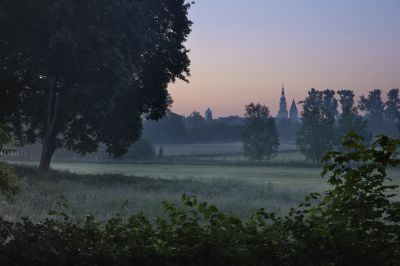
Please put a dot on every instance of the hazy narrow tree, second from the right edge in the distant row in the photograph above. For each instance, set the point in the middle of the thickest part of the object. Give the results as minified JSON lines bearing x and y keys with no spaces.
{"x":374,"y":107}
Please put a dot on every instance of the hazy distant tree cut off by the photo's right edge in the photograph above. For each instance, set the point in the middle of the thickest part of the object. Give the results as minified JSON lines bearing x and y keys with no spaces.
{"x":392,"y":112}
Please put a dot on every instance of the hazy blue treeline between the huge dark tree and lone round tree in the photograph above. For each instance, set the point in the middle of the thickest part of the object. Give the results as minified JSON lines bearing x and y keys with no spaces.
{"x":174,"y":128}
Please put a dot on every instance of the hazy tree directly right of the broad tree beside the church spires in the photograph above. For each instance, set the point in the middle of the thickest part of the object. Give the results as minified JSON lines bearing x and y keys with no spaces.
{"x":349,"y":119}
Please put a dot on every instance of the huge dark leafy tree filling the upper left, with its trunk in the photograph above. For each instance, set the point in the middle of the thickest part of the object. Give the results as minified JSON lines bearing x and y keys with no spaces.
{"x":75,"y":74}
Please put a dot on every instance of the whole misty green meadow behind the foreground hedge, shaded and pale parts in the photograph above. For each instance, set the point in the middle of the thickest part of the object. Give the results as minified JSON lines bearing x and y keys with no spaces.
{"x":101,"y":189}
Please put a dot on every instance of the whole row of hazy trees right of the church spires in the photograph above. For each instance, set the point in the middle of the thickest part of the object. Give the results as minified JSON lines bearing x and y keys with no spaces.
{"x":322,"y":125}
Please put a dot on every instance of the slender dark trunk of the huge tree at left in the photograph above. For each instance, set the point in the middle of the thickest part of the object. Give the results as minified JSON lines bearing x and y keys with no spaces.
{"x":49,"y":141}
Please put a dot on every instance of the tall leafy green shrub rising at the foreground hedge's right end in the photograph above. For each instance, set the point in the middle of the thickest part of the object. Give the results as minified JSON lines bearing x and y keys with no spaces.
{"x":356,"y":222}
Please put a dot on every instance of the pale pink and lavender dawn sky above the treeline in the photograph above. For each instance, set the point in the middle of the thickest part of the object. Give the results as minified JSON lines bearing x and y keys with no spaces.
{"x":242,"y":51}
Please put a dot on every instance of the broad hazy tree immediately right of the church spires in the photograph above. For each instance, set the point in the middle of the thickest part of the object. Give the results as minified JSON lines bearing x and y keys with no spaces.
{"x":317,"y":134}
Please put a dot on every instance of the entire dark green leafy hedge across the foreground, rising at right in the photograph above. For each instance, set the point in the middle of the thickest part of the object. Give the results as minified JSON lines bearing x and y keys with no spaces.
{"x":354,"y":223}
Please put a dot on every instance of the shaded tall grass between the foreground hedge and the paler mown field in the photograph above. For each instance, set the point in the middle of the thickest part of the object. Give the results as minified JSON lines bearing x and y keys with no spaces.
{"x":105,"y":195}
